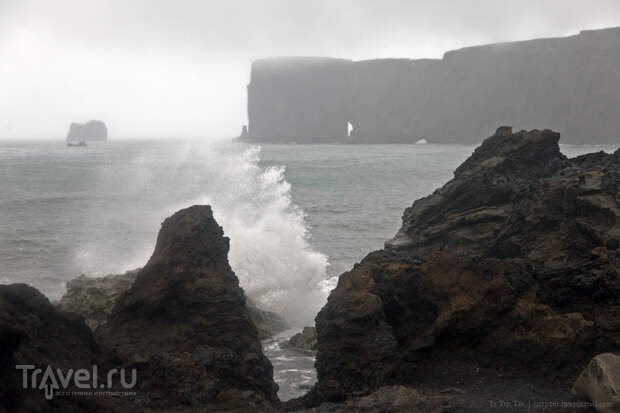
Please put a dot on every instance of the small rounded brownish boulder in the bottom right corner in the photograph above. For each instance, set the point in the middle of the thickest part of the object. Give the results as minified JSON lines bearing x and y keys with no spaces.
{"x":600,"y":383}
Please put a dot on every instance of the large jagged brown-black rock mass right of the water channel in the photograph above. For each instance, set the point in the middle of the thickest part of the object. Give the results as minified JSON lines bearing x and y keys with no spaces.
{"x":512,"y":265}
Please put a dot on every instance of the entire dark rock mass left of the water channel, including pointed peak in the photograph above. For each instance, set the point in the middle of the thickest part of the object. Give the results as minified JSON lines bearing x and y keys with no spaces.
{"x":182,"y":325}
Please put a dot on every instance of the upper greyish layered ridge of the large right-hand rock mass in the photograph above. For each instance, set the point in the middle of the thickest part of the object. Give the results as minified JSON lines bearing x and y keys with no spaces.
{"x":517,"y":196}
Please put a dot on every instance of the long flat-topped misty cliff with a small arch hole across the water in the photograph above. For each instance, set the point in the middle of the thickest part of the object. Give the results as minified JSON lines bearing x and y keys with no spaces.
{"x":568,"y":84}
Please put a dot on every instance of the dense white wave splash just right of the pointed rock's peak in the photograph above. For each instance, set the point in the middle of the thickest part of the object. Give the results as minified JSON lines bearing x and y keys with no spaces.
{"x":269,"y":248}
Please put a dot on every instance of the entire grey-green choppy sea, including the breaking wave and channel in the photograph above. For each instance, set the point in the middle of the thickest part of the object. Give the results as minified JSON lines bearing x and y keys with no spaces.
{"x":297,"y":215}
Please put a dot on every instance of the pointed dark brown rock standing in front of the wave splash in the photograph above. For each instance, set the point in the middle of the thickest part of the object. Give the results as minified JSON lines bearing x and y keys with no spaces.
{"x":184,"y":324}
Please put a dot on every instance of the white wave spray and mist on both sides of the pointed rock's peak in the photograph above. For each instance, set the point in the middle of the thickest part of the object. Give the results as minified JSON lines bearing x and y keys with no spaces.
{"x":269,"y":238}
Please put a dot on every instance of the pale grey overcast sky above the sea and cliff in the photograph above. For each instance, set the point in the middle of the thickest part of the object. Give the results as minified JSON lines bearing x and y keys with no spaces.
{"x":169,"y":68}
